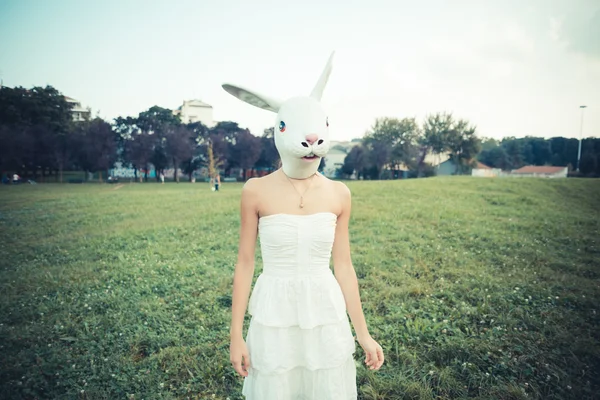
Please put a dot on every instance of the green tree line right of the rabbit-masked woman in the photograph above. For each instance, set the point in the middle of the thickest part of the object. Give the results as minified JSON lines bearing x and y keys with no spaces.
{"x":393,"y":146}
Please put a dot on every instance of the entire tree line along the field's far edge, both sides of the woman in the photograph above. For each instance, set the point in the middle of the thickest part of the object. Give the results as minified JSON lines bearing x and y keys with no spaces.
{"x":39,"y":138}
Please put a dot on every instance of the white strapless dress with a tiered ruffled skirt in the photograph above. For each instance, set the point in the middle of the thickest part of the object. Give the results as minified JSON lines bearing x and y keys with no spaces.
{"x":300,"y":342}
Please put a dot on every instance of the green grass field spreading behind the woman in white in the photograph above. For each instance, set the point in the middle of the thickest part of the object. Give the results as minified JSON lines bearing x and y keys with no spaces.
{"x":476,"y":288}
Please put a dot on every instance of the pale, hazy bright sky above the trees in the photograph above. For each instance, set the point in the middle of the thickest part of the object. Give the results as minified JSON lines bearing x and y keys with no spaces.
{"x":511,"y":67}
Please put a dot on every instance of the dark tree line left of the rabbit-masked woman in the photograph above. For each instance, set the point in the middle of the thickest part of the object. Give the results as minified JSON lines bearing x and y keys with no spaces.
{"x":38,"y":138}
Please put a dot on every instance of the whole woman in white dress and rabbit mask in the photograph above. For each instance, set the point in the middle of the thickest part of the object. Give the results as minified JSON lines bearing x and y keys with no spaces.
{"x":299,"y":343}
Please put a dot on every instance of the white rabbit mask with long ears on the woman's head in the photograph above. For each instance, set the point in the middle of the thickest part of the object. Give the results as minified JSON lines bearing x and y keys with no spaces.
{"x":301,"y":127}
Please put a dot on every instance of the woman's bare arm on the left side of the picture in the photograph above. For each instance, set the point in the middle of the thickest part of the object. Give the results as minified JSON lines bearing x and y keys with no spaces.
{"x":242,"y":278}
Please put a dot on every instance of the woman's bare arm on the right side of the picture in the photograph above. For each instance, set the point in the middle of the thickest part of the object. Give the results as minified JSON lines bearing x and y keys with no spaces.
{"x":346,"y":277}
